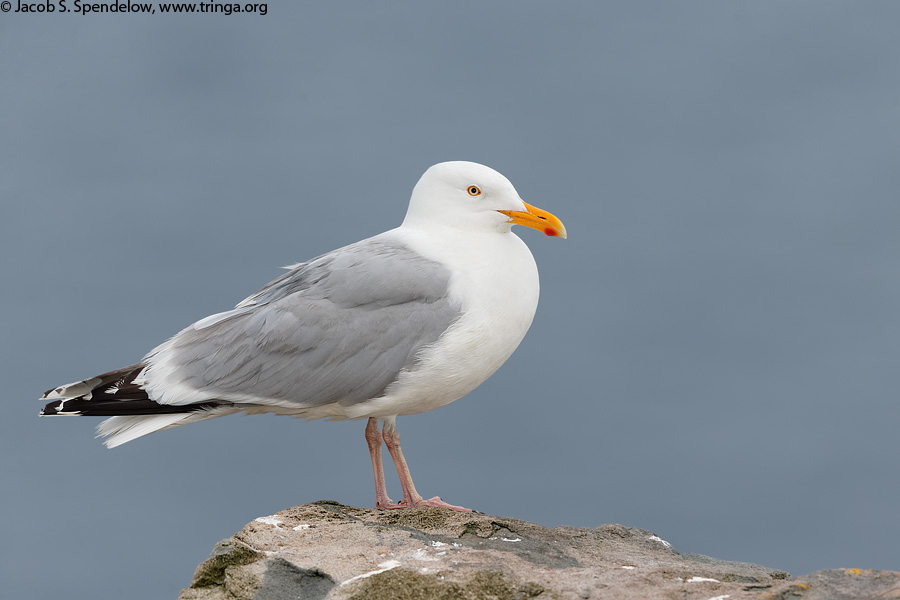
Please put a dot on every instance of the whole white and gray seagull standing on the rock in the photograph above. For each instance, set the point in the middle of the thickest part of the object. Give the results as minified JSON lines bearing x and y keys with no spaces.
{"x":400,"y":323}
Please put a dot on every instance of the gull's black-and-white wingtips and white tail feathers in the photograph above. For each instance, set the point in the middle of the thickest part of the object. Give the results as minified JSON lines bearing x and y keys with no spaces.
{"x":120,"y":395}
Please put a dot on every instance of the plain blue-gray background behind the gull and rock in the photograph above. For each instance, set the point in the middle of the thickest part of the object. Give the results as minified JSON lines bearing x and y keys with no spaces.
{"x":716,"y":356}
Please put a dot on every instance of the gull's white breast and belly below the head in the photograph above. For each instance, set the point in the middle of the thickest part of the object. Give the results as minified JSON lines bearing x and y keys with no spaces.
{"x":495,"y":280}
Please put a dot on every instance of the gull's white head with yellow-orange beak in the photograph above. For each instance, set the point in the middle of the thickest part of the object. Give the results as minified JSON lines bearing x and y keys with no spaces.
{"x":470,"y":196}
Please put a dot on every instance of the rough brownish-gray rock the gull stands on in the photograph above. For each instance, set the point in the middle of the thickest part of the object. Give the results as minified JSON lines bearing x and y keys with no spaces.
{"x":327,"y":550}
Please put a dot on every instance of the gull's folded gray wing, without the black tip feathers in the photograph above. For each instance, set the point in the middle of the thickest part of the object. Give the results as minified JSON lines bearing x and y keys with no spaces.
{"x":338,"y":328}
